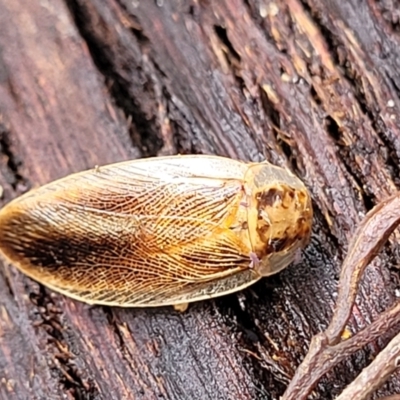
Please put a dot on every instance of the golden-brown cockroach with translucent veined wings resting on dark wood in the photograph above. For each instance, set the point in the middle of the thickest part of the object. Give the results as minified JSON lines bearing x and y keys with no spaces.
{"x":158,"y":231}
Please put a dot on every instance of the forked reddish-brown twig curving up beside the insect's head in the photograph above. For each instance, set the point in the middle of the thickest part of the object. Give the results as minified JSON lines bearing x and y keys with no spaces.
{"x":327,"y":349}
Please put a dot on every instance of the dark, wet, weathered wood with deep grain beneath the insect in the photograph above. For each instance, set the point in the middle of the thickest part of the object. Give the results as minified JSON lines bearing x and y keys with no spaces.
{"x":312,"y":85}
